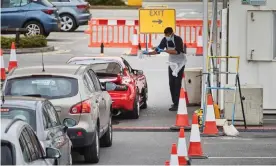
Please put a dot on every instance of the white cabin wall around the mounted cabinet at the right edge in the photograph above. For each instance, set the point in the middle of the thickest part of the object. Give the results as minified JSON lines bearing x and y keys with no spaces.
{"x":251,"y":72}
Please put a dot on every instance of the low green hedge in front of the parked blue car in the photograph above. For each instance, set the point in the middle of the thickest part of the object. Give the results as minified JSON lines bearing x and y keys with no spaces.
{"x":24,"y":42}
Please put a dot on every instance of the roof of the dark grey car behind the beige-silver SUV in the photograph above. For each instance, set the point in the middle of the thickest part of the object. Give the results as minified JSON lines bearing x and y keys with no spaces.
{"x":21,"y":102}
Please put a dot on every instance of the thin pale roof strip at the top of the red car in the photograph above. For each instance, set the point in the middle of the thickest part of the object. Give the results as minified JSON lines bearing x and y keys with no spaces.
{"x":113,"y":58}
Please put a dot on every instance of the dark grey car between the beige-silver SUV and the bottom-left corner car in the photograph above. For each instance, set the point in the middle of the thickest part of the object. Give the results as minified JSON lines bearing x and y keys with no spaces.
{"x":42,"y":116}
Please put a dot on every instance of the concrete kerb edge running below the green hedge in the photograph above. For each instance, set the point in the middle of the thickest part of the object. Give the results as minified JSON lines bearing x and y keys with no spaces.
{"x":31,"y":50}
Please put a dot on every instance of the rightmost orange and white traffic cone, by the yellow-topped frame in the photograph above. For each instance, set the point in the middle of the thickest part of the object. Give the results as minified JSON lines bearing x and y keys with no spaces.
{"x":210,"y":127}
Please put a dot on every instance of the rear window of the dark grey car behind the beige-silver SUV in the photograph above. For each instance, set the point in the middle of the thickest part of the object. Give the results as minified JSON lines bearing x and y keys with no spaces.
{"x":28,"y":115}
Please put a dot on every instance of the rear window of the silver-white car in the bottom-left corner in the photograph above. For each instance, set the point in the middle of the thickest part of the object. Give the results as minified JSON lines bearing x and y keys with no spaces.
{"x":7,"y":154}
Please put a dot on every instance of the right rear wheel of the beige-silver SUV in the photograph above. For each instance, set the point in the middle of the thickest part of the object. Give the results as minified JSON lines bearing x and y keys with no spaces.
{"x":92,"y":152}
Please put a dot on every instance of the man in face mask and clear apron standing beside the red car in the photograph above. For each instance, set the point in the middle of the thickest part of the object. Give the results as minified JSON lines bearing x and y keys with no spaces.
{"x":177,"y":61}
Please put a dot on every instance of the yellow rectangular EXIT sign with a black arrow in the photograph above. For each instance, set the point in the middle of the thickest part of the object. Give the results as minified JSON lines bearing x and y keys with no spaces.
{"x":154,"y":21}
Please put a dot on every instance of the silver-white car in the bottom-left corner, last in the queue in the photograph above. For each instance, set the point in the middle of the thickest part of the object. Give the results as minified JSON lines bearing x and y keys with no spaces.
{"x":20,"y":145}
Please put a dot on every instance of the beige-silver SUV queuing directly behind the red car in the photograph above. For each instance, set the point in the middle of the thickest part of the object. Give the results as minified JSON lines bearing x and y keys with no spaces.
{"x":76,"y":93}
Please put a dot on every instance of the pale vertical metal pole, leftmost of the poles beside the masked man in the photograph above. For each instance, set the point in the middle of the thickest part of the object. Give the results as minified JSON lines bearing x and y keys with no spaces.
{"x":205,"y":49}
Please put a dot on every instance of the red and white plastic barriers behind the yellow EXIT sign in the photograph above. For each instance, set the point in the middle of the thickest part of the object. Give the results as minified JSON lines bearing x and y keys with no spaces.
{"x":118,"y":33}
